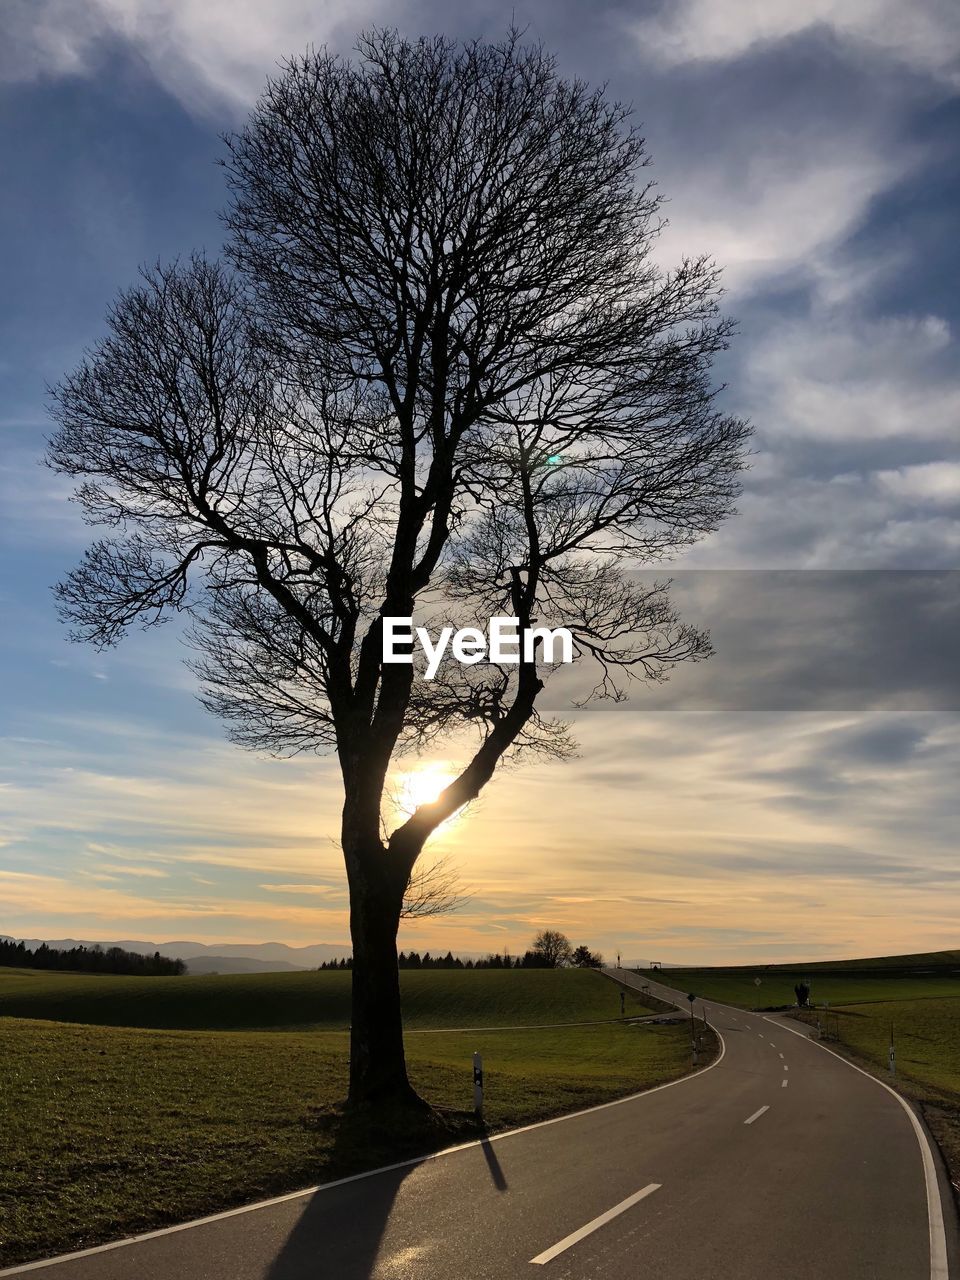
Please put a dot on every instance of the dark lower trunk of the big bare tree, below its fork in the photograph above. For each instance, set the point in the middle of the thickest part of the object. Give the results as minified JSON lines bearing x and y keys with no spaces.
{"x":378,"y":1068}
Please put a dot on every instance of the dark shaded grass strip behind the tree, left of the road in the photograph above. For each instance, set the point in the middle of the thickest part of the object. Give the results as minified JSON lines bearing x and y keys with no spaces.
{"x":309,"y":1002}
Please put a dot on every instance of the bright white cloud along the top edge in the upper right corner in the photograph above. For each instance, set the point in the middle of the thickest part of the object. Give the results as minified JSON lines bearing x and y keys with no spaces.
{"x":924,"y":35}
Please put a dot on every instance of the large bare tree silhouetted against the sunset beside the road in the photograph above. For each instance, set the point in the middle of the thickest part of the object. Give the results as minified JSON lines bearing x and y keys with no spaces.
{"x":444,"y":378}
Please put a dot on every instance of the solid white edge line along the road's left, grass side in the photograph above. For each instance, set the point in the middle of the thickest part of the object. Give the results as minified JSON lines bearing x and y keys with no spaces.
{"x":355,"y":1178}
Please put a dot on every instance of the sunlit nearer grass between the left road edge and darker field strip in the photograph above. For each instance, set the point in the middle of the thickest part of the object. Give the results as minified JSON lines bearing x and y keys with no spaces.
{"x":107,"y":1132}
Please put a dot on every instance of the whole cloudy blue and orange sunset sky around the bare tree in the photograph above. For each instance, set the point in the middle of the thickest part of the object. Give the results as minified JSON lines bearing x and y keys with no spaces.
{"x":794,"y":798}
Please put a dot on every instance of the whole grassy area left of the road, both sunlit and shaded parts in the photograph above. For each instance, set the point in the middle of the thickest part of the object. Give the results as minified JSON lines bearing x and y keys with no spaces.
{"x":112,"y":1123}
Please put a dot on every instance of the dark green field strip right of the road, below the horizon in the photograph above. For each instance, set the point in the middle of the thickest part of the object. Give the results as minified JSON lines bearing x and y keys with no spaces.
{"x":776,"y":990}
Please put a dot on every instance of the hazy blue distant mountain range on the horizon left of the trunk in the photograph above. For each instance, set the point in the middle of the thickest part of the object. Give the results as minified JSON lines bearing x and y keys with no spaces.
{"x":217,"y":957}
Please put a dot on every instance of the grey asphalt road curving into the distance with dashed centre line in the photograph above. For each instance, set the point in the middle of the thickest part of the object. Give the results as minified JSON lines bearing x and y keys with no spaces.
{"x":779,"y":1163}
